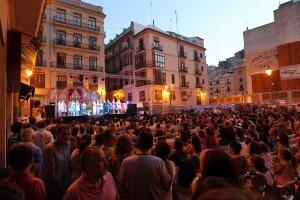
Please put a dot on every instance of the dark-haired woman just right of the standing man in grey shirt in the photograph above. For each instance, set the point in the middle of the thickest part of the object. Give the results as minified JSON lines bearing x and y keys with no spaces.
{"x":85,"y":142}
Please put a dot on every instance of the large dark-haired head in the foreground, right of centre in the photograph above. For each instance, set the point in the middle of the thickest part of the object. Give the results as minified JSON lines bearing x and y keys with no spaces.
{"x":218,"y":163}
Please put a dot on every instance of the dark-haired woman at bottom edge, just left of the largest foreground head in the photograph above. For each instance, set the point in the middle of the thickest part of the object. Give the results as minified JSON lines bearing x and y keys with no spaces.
{"x":186,"y":175}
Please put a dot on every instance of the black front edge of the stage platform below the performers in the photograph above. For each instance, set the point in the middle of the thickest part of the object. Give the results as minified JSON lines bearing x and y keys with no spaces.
{"x":86,"y":118}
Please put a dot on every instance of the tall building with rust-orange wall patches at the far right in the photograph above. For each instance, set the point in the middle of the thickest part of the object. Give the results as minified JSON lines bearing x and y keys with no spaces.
{"x":275,"y":47}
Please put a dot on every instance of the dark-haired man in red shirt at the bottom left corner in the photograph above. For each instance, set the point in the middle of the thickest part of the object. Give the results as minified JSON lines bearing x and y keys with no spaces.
{"x":20,"y":157}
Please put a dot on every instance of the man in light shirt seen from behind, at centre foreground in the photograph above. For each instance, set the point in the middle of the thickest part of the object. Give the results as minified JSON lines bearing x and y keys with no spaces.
{"x":143,"y":176}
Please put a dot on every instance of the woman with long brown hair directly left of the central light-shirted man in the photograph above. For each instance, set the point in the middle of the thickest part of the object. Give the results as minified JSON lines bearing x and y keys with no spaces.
{"x":123,"y":148}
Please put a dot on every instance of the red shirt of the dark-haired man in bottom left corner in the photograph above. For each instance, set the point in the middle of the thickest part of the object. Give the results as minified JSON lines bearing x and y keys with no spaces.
{"x":32,"y":187}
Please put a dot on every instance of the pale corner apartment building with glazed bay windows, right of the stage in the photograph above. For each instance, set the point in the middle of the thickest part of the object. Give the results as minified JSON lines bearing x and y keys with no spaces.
{"x":160,"y":69}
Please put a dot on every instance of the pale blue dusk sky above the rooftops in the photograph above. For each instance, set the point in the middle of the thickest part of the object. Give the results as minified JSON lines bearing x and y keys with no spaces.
{"x":220,"y":23}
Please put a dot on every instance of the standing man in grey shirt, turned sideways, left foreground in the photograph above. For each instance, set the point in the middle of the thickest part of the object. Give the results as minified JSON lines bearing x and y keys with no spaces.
{"x":56,"y":156}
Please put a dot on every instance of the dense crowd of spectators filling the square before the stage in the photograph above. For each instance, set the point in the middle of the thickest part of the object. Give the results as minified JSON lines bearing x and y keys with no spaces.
{"x":245,"y":152}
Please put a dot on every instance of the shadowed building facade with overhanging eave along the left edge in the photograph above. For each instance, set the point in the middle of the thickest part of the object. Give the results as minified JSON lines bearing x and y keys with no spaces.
{"x":18,"y":26}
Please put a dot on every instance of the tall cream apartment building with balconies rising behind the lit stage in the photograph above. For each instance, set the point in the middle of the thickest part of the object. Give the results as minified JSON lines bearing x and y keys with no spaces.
{"x":70,"y":62}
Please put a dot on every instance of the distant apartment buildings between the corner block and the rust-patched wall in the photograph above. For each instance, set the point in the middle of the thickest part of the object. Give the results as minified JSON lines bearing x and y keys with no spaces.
{"x":227,"y":81}
